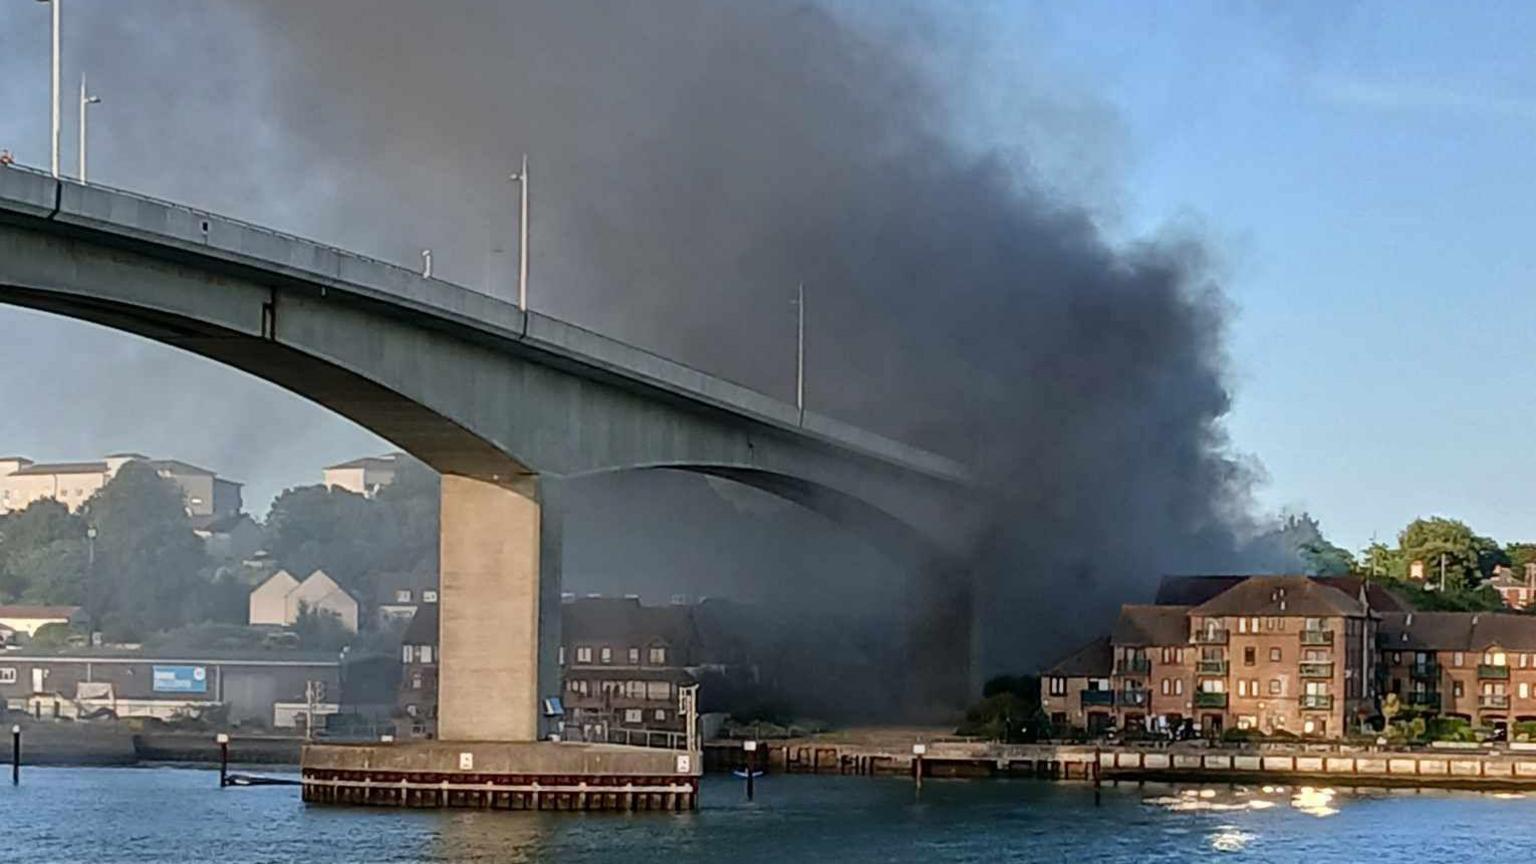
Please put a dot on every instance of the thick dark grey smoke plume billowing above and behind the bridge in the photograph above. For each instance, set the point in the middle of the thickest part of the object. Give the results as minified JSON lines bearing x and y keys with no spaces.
{"x":692,"y":164}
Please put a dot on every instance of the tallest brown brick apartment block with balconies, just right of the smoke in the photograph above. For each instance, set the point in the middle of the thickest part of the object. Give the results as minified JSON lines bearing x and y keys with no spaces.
{"x":1273,"y":654}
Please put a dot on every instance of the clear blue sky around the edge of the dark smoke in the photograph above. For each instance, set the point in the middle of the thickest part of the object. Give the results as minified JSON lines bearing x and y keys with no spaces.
{"x":1360,"y":174}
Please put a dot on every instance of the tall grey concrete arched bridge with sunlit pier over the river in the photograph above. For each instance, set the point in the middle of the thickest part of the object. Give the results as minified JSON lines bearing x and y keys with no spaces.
{"x":497,"y":399}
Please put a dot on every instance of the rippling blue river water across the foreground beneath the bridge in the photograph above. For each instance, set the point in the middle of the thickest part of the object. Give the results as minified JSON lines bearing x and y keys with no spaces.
{"x":156,"y":816}
